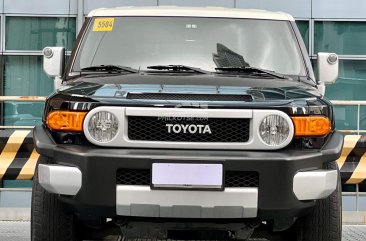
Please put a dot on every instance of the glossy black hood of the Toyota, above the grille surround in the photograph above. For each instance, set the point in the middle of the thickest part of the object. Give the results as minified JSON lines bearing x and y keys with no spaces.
{"x":87,"y":92}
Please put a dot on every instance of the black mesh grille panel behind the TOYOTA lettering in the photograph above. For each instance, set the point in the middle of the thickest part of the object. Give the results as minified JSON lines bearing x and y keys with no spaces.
{"x":155,"y":129}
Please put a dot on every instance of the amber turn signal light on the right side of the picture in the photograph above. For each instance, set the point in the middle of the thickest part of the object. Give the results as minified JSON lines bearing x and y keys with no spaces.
{"x":311,"y":125}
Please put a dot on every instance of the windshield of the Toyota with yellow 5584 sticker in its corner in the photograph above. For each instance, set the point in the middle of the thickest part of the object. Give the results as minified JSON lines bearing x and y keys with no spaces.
{"x":205,"y":43}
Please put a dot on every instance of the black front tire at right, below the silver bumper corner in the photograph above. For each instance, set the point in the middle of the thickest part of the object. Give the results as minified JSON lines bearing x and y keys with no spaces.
{"x":324,"y":223}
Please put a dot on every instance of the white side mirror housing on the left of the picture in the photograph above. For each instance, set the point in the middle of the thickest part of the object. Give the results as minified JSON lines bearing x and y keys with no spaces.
{"x":53,"y":61}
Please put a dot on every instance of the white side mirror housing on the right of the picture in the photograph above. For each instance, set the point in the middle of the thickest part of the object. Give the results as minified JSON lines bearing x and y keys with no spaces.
{"x":327,"y":68}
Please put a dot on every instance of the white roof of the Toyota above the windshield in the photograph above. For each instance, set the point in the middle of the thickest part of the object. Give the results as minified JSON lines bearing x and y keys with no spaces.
{"x":173,"y":11}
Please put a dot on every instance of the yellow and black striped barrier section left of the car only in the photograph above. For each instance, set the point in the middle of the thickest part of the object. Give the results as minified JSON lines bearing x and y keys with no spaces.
{"x":18,"y":158}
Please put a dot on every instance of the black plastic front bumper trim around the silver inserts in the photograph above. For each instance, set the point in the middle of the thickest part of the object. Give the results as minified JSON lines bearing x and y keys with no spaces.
{"x":276,"y":171}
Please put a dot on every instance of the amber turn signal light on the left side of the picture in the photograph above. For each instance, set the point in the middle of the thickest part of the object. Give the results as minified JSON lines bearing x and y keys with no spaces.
{"x":66,"y":120}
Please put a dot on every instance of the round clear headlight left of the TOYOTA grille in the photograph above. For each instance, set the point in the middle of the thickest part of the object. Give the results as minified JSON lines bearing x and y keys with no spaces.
{"x":103,"y":126}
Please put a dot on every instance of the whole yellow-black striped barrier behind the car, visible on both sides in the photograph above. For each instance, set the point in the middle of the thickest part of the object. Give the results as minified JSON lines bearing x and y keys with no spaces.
{"x":18,"y":157}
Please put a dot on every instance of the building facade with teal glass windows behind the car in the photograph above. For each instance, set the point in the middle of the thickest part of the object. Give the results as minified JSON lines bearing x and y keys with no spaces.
{"x":27,"y":26}
